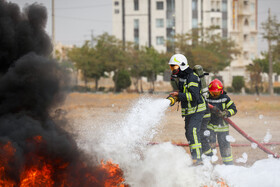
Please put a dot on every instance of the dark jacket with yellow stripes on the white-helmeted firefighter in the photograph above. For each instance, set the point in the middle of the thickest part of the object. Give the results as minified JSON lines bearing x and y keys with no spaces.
{"x":189,"y":93}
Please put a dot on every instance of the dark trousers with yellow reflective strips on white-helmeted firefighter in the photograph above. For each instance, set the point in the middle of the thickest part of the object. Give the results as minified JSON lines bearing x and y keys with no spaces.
{"x":192,"y":133}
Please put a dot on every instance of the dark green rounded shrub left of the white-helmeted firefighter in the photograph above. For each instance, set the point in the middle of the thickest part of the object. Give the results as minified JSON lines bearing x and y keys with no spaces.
{"x":122,"y":80}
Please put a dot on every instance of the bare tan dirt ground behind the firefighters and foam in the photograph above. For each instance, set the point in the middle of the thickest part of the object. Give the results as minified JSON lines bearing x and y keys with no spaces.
{"x":257,"y":116}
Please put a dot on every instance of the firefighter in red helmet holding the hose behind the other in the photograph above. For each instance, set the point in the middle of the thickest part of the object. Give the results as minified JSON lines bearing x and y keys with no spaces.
{"x":223,"y":108}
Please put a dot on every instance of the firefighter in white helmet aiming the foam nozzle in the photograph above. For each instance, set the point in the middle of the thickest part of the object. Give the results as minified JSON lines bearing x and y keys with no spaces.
{"x":192,"y":102}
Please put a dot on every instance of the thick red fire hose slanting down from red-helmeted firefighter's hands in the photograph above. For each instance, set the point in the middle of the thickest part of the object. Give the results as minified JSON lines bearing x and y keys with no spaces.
{"x":248,"y":137}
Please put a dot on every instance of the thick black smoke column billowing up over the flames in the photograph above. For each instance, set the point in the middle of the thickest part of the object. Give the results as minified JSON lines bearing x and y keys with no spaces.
{"x":31,"y":85}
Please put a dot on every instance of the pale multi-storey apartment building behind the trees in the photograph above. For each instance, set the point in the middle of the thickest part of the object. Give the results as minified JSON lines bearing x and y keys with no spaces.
{"x":152,"y":22}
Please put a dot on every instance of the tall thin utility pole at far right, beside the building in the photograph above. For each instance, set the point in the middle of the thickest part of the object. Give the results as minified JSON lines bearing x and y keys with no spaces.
{"x":270,"y":71}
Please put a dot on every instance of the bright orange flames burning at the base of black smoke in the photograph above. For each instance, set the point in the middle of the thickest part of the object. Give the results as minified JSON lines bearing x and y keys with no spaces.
{"x":48,"y":172}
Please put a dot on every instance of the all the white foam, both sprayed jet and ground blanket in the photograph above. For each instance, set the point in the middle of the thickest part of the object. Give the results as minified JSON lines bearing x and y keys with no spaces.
{"x":164,"y":165}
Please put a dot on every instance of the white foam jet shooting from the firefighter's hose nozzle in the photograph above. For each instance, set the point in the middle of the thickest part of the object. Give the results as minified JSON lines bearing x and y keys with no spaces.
{"x":126,"y":139}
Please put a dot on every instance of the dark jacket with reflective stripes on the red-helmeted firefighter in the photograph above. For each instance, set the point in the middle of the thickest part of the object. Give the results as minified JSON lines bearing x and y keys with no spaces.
{"x":217,"y":123}
